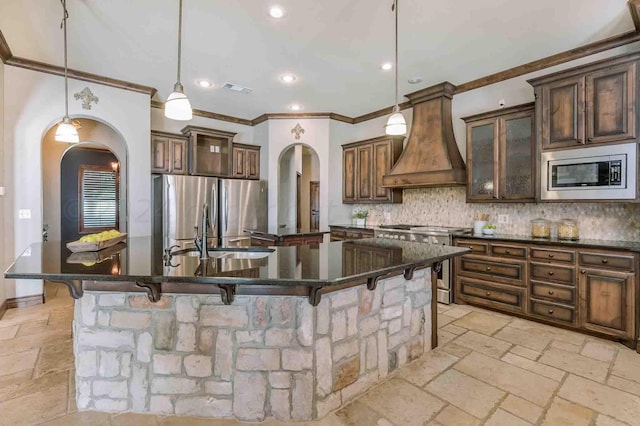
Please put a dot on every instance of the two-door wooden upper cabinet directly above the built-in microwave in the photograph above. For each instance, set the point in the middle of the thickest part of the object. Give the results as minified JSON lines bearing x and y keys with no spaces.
{"x":593,"y":104}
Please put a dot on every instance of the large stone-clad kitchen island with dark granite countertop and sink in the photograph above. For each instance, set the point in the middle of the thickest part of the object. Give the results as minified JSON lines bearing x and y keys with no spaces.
{"x":284,"y":332}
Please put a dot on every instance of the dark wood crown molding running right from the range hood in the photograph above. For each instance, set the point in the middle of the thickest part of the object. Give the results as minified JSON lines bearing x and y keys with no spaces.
{"x":550,"y":61}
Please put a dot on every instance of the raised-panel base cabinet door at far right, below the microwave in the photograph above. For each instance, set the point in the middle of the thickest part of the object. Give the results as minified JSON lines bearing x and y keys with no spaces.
{"x":607,"y":302}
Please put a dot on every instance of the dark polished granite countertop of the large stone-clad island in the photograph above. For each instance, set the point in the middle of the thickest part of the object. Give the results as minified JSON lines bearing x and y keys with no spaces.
{"x":321,"y":265}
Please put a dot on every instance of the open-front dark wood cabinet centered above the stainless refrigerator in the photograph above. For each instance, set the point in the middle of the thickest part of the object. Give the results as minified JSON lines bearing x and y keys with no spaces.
{"x":210,"y":151}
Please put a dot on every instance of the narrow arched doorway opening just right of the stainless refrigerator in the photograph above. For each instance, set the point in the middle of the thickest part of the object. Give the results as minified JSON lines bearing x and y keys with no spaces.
{"x":299,"y":188}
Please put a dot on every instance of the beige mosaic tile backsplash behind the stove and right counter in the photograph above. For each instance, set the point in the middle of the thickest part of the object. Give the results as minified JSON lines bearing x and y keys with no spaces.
{"x":447,"y":207}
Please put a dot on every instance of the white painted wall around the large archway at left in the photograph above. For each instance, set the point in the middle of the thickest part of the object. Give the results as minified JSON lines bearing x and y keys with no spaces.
{"x":33,"y":104}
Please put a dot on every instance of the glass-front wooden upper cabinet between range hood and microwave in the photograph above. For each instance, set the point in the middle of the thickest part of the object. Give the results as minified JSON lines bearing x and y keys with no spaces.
{"x":501,"y":155}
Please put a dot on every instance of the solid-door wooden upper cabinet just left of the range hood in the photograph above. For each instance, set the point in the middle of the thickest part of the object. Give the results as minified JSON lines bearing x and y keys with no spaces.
{"x":364,"y":163}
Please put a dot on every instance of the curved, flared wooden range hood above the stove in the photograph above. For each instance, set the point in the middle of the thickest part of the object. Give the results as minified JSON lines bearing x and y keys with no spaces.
{"x":431,"y":157}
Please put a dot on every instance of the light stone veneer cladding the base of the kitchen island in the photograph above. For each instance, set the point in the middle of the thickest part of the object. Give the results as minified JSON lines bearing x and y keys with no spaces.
{"x":260,"y":357}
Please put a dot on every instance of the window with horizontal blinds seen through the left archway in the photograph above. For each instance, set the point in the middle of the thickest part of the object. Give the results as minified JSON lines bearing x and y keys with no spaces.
{"x":99,"y":198}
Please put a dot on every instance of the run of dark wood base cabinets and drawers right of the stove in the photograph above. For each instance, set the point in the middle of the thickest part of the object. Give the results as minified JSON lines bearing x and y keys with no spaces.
{"x":593,"y":290}
